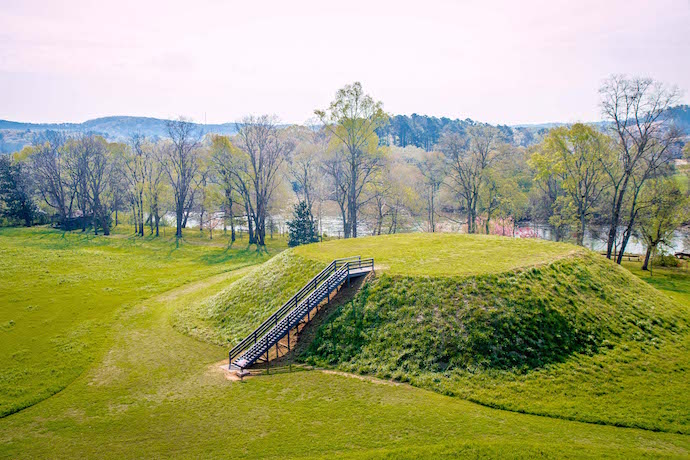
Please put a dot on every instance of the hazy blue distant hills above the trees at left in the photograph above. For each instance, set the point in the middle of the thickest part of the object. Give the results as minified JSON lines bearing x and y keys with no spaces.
{"x":15,"y":135}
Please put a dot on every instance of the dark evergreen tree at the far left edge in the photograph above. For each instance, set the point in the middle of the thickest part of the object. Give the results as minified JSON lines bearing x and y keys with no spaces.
{"x":16,"y":201}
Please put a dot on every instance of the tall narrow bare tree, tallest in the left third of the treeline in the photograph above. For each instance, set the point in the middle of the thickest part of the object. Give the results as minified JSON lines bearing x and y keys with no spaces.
{"x":181,"y":164}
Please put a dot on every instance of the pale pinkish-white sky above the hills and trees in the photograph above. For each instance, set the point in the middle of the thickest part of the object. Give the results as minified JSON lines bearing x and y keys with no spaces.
{"x":496,"y":61}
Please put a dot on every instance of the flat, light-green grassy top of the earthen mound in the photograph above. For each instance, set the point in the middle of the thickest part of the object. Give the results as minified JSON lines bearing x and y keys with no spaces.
{"x":440,"y":254}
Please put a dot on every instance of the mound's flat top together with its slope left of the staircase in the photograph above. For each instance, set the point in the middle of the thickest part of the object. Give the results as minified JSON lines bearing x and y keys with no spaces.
{"x":244,"y":304}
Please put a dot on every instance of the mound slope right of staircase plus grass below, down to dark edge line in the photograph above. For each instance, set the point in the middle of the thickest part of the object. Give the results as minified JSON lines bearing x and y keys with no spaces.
{"x":580,"y":339}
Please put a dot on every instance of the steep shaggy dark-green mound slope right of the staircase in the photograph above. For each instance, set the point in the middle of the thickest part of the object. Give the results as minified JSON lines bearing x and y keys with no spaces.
{"x":515,"y":320}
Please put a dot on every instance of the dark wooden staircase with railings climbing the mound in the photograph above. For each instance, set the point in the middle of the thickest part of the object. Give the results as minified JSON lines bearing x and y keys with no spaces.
{"x":257,"y":344}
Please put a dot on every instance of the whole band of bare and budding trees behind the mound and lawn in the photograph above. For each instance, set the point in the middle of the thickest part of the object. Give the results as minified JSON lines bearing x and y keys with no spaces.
{"x":357,"y":162}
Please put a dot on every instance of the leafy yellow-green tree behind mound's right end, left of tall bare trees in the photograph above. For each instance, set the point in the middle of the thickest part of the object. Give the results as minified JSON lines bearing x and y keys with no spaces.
{"x":574,"y":155}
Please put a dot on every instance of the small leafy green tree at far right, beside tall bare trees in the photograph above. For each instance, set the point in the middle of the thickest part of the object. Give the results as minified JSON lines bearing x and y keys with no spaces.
{"x":663,"y":208}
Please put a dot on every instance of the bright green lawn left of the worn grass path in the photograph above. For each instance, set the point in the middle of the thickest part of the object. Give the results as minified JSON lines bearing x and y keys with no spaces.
{"x":60,"y":293}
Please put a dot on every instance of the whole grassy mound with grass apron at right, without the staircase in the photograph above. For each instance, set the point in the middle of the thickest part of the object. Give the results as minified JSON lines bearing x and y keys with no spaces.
{"x":524,"y":325}
